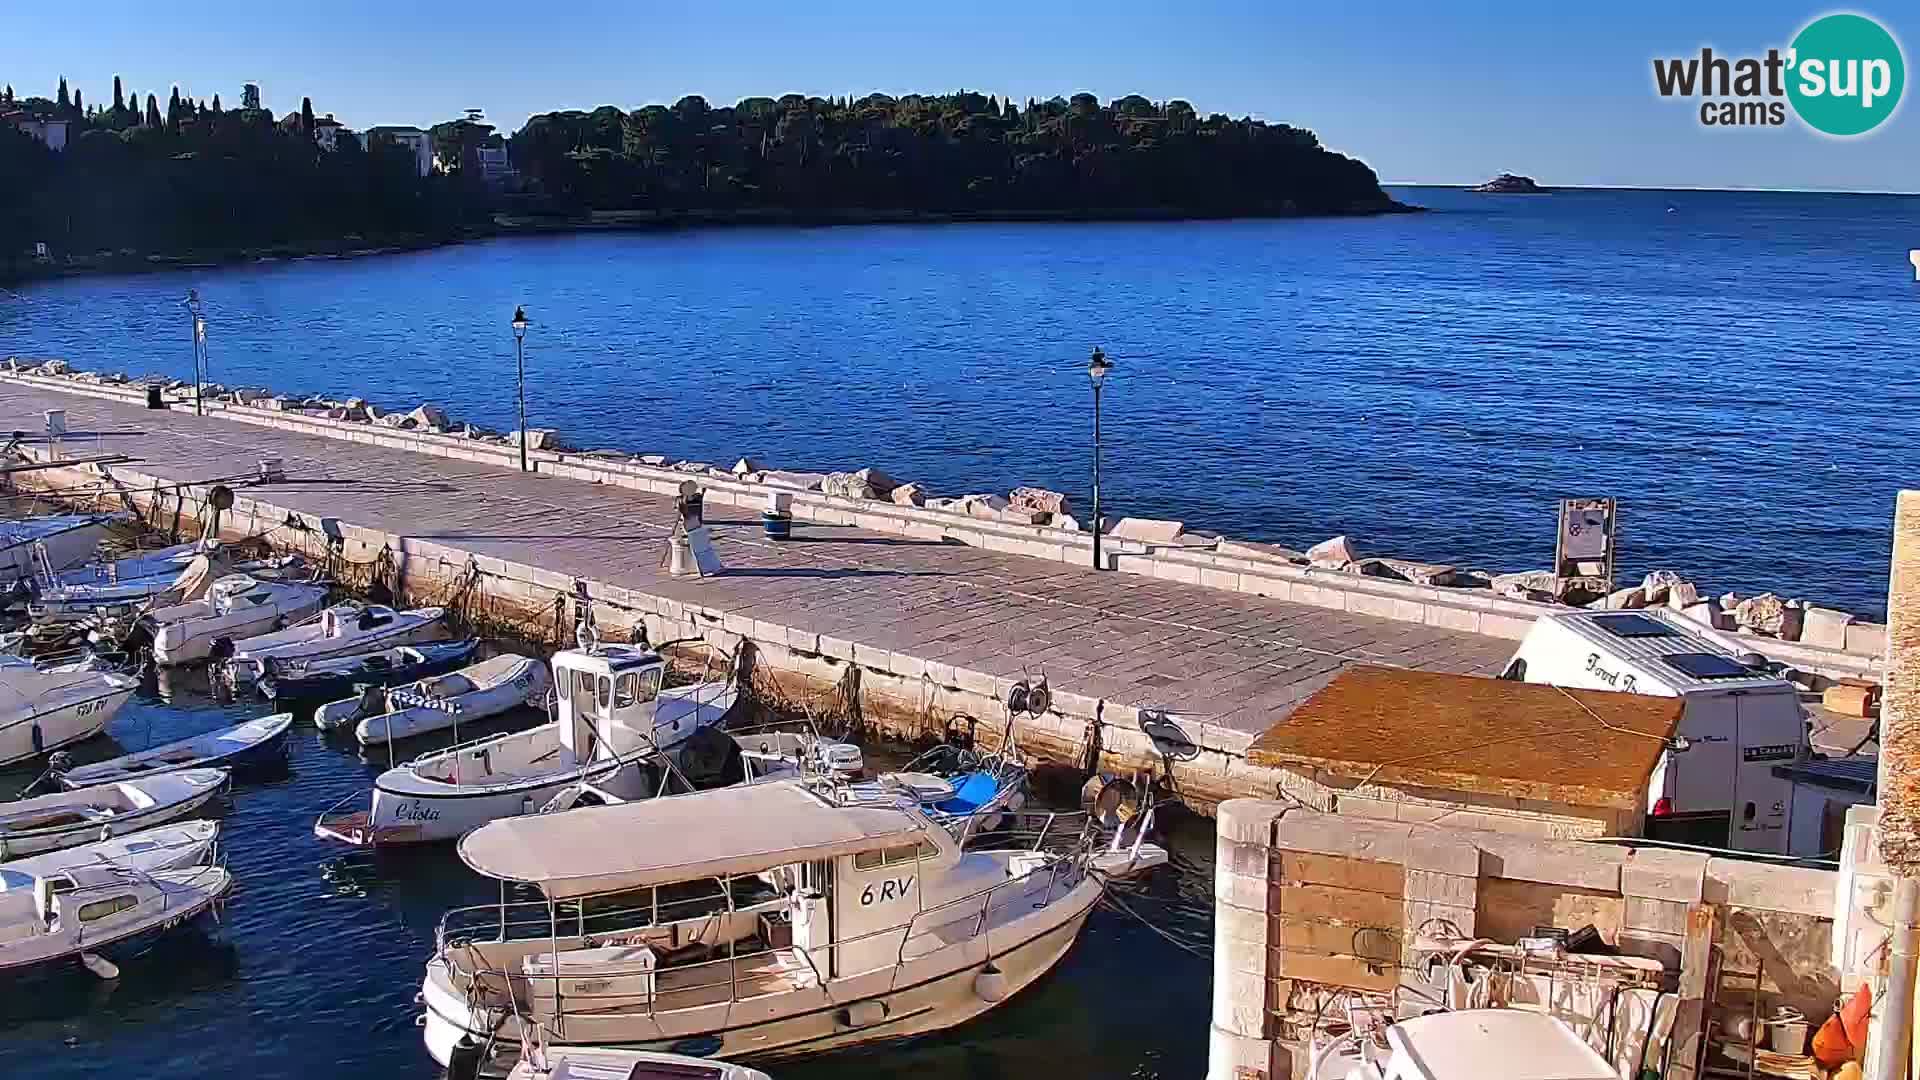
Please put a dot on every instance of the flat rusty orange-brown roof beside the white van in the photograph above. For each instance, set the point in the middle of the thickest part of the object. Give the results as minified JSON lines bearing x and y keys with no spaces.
{"x":1477,"y":735}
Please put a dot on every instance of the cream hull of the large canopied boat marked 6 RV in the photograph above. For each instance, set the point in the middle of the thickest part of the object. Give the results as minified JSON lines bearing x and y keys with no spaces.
{"x":915,"y":998}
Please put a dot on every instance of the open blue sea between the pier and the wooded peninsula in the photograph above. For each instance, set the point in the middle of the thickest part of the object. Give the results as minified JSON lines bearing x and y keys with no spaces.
{"x":1733,"y":366}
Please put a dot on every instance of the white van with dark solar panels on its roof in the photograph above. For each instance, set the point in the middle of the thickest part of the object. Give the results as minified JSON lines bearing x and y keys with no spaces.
{"x":1739,"y":722}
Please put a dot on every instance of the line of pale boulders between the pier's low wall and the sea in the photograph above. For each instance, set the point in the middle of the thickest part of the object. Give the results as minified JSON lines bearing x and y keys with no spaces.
{"x":1765,"y":616}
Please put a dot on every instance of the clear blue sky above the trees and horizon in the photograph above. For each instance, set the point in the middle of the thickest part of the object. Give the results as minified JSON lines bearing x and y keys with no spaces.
{"x":1426,"y":93}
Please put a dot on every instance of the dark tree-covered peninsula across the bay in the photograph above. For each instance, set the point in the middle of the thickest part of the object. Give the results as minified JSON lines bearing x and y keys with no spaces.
{"x":107,"y":184}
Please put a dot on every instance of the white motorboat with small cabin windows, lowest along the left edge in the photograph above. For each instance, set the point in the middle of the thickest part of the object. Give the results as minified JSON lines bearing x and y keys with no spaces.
{"x":99,"y":916}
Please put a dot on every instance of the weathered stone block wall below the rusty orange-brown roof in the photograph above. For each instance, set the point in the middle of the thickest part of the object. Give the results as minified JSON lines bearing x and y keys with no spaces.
{"x":1316,"y":908}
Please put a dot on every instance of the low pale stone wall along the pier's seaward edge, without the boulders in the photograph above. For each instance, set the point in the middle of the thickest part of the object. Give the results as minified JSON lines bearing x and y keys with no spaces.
{"x":1138,"y":547}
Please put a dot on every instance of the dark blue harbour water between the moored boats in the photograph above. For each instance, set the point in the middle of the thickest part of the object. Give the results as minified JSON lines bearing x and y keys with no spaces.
{"x":314,"y":973}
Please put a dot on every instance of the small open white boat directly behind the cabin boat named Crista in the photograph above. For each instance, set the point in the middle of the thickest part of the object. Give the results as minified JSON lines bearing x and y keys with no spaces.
{"x":439,"y":702}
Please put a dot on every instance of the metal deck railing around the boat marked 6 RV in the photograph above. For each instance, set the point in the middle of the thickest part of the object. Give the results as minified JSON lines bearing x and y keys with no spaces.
{"x":636,"y":987}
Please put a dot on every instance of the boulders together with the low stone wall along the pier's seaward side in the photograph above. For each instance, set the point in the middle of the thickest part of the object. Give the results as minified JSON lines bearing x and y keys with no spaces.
{"x":1045,"y":524}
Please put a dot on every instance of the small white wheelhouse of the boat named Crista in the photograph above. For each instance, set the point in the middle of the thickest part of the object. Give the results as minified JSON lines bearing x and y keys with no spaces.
{"x":606,"y":700}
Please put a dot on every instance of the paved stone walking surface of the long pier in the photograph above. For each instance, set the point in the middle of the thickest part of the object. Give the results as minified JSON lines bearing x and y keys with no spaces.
{"x":921,"y":610}
